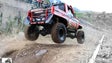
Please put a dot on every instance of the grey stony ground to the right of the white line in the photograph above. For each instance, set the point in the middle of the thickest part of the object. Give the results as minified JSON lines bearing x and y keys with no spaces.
{"x":105,"y":53}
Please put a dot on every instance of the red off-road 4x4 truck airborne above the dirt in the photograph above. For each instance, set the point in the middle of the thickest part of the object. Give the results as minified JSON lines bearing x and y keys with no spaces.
{"x":55,"y":18}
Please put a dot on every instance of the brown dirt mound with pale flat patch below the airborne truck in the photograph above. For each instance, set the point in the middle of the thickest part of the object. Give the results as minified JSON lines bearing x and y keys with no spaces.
{"x":35,"y":53}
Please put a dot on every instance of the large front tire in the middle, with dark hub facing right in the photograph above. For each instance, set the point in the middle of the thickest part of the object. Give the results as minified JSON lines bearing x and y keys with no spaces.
{"x":58,"y":33}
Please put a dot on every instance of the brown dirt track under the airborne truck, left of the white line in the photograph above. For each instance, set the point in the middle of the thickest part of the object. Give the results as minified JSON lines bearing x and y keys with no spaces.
{"x":69,"y":52}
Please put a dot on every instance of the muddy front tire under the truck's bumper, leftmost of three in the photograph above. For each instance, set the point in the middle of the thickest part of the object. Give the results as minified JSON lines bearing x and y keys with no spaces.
{"x":31,"y":32}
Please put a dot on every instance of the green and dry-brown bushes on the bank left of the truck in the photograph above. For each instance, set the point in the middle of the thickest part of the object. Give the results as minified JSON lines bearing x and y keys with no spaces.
{"x":12,"y":26}
